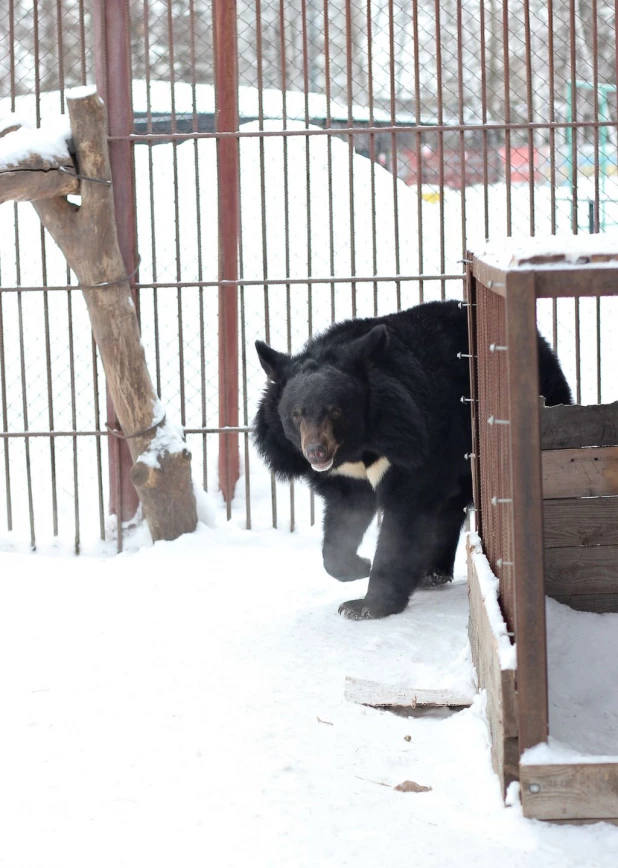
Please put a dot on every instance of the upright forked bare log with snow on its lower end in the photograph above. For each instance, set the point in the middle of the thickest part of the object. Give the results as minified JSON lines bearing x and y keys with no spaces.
{"x":87,"y":236}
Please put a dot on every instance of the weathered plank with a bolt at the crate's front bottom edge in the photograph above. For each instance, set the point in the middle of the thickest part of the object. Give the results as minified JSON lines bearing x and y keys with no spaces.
{"x":577,"y":791}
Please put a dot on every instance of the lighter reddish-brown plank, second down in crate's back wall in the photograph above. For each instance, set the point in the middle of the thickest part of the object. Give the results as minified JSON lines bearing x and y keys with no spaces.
{"x":580,"y":472}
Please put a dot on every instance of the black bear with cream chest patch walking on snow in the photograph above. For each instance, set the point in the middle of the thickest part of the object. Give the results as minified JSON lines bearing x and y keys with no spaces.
{"x":370,"y":414}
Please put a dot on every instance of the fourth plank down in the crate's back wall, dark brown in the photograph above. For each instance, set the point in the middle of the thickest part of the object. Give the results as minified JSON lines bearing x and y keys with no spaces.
{"x":581,"y":570}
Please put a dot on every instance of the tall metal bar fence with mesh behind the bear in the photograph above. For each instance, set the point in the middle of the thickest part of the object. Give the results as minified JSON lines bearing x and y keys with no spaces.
{"x":278,"y":165}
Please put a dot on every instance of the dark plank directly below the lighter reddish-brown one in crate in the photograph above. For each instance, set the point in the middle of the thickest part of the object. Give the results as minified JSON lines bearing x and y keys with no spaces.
{"x":580,"y":522}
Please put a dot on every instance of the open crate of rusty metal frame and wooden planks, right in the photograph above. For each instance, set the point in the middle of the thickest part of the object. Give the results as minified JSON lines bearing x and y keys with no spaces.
{"x":546,"y":499}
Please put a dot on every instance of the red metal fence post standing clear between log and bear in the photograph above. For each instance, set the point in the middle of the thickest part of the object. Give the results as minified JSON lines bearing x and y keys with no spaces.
{"x":226,"y":46}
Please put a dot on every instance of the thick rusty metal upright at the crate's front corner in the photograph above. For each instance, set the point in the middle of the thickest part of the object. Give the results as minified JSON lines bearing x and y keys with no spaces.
{"x":527,"y":508}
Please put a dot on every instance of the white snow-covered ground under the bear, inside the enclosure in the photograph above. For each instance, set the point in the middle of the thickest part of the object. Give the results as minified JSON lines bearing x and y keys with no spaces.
{"x":184,"y":705}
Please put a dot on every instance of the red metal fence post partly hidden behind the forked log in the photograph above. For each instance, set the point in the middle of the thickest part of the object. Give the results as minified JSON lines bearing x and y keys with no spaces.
{"x":113,"y":76}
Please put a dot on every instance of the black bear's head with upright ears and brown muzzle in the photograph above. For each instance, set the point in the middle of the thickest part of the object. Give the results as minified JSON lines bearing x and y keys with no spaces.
{"x":323,"y":404}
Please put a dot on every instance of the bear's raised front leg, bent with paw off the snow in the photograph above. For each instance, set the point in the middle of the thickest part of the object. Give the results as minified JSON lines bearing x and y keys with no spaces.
{"x":349,"y":509}
